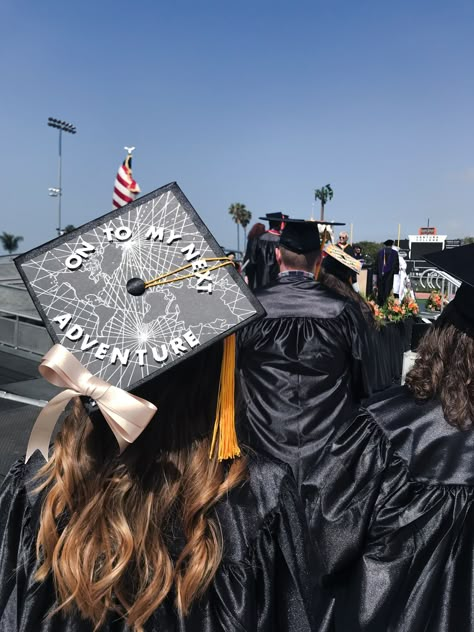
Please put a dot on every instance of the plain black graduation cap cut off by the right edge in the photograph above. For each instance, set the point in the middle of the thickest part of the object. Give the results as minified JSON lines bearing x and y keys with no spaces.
{"x":459,"y":263}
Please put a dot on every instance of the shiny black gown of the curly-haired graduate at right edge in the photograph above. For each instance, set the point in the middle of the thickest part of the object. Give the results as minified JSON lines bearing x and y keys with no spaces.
{"x":391,"y":512}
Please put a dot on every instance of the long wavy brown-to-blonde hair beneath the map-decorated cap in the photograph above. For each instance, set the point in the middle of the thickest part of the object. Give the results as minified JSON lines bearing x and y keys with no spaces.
{"x":120,"y":533}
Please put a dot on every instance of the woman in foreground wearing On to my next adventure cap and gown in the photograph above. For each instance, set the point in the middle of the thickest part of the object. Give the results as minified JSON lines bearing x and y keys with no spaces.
{"x":147,"y":515}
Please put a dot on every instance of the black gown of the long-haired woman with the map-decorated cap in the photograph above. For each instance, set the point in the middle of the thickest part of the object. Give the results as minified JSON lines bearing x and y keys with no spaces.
{"x":262,"y":585}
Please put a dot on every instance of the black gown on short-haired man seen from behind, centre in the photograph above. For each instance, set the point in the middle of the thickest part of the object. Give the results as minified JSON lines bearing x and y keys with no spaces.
{"x":302,"y":369}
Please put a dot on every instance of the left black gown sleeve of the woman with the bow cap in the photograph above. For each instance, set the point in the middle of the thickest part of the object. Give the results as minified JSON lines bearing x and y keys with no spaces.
{"x":16,"y":541}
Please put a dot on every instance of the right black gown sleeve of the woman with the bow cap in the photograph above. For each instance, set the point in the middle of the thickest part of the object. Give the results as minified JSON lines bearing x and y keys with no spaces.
{"x":283,"y":568}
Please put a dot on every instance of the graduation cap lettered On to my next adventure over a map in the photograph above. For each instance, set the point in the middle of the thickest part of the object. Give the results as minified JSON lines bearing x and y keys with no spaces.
{"x":138,"y":290}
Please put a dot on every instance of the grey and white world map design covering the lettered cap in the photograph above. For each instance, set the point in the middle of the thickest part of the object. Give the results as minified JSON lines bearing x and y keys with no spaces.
{"x":110,"y":314}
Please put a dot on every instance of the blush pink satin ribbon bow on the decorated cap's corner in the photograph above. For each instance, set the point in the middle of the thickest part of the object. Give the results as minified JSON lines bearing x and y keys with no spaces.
{"x":126,"y":414}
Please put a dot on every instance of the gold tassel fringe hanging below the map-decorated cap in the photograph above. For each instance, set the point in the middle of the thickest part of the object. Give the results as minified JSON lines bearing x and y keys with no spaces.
{"x":224,"y":425}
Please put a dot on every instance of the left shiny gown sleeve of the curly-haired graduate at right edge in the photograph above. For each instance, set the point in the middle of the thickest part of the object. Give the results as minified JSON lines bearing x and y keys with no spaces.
{"x":342,"y":494}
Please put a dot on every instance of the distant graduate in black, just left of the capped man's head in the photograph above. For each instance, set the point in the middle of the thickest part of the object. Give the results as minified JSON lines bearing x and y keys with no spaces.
{"x":264,"y":260}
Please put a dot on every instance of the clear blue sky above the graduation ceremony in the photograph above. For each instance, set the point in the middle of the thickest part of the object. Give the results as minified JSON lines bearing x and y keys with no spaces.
{"x":254,"y":101}
